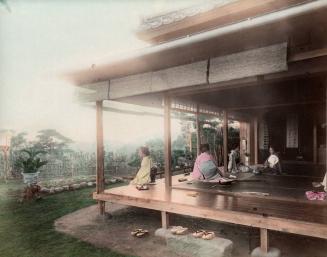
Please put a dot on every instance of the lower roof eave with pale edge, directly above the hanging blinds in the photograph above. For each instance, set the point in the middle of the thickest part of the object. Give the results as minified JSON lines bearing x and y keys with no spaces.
{"x":292,"y":24}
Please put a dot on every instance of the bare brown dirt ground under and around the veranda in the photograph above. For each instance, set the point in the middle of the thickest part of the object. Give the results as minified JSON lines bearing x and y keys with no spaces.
{"x":113,"y":231}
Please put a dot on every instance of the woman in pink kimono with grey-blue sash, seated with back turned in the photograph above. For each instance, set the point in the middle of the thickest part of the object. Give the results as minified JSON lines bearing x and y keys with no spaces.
{"x":205,"y":167}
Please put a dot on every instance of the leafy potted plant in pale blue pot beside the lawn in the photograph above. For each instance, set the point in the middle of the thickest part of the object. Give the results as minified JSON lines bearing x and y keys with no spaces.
{"x":30,"y":163}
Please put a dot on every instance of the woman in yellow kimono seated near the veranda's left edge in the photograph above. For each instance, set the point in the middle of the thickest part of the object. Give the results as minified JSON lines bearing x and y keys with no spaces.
{"x":143,"y":175}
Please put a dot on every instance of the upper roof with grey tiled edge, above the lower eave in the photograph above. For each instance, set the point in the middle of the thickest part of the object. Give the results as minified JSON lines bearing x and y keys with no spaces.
{"x":205,"y":16}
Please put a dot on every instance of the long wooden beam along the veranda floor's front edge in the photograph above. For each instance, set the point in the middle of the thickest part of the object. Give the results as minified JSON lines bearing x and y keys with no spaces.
{"x":287,"y":225}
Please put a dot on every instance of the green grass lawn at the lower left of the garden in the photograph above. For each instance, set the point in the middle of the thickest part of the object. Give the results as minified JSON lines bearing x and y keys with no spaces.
{"x":27,"y":230}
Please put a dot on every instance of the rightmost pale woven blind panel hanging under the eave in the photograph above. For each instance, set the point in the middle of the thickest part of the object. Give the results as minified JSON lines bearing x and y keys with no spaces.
{"x":260,"y":61}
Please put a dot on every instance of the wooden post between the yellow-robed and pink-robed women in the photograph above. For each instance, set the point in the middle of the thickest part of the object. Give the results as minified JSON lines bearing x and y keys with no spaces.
{"x":167,"y":135}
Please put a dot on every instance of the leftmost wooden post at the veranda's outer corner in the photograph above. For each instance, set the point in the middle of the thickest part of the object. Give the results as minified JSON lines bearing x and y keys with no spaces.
{"x":100,"y":154}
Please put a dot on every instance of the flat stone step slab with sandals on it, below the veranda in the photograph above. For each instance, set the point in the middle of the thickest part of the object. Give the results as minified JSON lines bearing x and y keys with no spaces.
{"x":196,"y":247}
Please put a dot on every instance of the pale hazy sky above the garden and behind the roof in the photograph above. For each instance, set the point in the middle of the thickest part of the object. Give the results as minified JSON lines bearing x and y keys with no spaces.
{"x":40,"y":40}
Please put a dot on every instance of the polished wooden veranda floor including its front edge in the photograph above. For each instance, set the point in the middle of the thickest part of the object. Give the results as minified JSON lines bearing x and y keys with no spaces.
{"x":278,"y":211}
